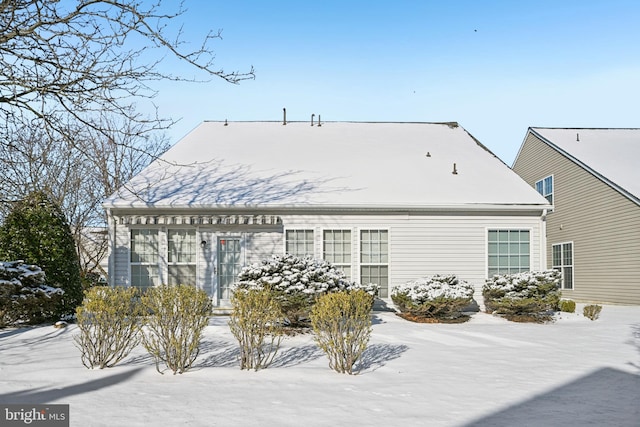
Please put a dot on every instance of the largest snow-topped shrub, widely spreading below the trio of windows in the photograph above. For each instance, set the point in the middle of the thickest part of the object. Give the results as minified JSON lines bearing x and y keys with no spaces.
{"x":296,"y":283}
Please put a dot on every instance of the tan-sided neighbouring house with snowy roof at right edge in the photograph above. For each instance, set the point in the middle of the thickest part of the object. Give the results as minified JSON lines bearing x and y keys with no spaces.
{"x":592,"y":178}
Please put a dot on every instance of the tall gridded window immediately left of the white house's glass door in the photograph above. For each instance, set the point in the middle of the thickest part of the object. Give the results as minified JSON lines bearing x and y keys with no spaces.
{"x":182,"y":257}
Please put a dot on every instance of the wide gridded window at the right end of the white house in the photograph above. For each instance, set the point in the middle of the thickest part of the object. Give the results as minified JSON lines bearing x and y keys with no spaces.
{"x":508,"y":251}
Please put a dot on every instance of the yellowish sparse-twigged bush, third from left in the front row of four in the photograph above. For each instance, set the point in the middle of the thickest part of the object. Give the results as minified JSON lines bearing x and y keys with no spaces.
{"x":256,"y":322}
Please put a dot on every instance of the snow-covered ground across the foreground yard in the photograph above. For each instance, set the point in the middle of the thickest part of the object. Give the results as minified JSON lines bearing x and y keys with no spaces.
{"x":486,"y":372}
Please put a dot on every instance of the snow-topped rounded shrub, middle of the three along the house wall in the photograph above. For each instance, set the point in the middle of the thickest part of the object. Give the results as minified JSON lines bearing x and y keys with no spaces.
{"x":437,"y":297}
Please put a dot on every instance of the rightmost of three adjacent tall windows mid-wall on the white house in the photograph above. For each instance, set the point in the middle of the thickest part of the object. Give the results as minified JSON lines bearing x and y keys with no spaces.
{"x":374,"y":259}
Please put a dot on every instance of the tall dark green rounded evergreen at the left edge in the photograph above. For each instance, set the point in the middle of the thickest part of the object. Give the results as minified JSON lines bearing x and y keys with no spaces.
{"x":37,"y":232}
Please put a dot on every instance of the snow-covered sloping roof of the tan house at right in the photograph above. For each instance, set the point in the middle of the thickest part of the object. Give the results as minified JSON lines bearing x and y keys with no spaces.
{"x":610,"y":154}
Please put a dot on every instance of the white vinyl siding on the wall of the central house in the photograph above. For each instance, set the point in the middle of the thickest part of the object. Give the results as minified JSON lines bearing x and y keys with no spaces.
{"x":418,"y":244}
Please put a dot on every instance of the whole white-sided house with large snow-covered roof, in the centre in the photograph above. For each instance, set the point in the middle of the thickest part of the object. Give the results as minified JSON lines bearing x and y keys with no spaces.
{"x":385,"y":202}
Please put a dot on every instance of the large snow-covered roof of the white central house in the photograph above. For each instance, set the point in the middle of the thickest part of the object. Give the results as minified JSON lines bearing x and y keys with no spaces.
{"x":336,"y":165}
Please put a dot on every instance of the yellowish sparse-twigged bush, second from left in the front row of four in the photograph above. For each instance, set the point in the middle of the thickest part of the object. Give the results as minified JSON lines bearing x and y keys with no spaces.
{"x":176,"y":320}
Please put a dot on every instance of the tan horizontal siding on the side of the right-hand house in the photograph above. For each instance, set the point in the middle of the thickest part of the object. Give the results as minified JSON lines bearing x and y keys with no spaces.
{"x":603,"y":225}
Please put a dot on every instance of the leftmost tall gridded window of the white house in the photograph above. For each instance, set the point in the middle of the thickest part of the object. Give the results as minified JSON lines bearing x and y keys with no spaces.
{"x":144,"y":258}
